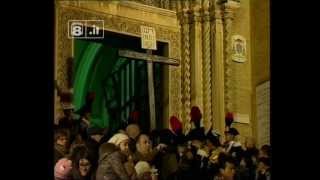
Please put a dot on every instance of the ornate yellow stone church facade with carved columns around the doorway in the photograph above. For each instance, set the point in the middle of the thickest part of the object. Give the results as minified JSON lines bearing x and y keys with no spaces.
{"x":222,"y":47}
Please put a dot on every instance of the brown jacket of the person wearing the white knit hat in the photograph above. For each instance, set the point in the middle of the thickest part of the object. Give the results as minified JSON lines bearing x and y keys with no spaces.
{"x":111,"y":164}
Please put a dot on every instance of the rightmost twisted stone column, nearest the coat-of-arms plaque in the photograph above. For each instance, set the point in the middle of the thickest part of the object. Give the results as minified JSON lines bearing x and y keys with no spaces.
{"x":228,"y":13}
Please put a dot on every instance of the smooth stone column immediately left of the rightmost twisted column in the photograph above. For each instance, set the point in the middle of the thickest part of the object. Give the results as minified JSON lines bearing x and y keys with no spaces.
{"x":218,"y":70}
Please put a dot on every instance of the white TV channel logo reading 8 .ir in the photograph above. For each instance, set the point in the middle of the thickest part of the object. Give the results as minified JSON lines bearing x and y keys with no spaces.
{"x":86,"y":29}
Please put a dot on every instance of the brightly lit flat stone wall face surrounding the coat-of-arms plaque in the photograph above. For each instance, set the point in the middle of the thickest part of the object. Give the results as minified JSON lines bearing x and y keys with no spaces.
{"x":241,"y":72}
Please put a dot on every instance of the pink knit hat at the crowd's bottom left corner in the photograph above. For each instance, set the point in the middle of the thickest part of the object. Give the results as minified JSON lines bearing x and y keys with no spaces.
{"x":62,"y":169}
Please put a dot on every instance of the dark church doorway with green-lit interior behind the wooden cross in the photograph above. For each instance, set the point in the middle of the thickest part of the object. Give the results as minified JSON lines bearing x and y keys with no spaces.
{"x":120,"y":84}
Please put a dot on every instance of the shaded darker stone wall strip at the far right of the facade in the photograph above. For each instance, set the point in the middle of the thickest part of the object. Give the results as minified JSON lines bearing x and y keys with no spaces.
{"x":260,"y":49}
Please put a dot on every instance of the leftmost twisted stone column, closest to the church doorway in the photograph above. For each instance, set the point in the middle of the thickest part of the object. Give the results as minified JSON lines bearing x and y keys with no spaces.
{"x":185,"y":40}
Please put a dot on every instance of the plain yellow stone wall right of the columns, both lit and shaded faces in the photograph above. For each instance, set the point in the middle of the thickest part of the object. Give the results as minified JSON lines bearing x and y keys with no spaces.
{"x":251,"y":21}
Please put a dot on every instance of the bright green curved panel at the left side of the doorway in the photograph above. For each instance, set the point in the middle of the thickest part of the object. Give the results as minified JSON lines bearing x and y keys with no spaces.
{"x":93,"y":63}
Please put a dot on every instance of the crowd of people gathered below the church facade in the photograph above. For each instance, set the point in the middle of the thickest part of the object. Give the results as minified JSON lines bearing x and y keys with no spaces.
{"x":82,"y":152}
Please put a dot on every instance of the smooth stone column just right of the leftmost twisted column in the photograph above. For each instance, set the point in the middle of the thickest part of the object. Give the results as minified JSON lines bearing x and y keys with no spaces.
{"x":196,"y":57}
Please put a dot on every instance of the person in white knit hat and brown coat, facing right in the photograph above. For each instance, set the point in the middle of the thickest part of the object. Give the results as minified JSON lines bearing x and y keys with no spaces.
{"x":113,"y":160}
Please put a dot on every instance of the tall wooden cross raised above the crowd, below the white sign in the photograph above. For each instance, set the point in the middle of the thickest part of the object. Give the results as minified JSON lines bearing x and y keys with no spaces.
{"x":150,"y":60}
